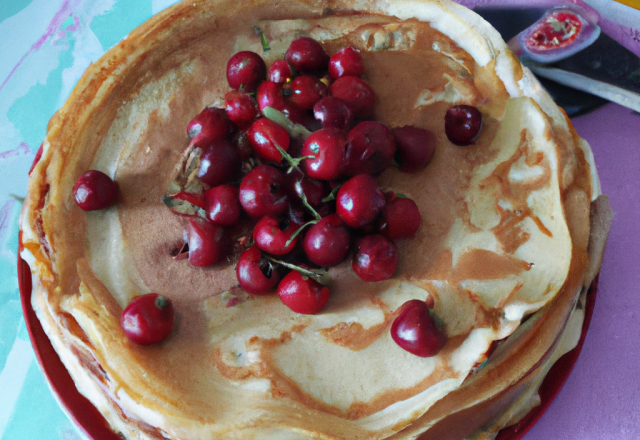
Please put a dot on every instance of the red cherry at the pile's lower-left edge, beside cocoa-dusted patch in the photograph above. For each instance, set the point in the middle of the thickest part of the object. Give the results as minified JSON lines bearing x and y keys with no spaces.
{"x":207,"y":242}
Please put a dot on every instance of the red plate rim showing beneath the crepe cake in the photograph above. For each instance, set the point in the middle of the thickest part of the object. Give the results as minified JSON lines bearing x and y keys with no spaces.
{"x":91,"y":422}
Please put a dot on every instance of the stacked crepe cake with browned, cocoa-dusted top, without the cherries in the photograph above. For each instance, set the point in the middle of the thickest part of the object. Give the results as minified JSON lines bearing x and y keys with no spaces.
{"x":505,"y":249}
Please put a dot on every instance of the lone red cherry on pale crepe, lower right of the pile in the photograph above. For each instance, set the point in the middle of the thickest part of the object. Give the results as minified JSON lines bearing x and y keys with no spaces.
{"x":415,"y":330}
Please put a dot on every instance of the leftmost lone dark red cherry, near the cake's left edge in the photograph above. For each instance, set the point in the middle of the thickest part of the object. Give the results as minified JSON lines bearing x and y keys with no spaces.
{"x":95,"y":190}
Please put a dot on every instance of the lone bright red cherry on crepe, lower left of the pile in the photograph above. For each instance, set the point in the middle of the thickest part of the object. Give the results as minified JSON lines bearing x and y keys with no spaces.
{"x":148,"y":319}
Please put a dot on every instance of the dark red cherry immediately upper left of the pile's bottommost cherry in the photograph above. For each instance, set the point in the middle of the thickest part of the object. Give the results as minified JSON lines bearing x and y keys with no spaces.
{"x":255,"y":273}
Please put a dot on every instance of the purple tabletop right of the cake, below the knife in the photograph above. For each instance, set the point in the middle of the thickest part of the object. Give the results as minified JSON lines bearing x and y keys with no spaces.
{"x":601,"y":398}
